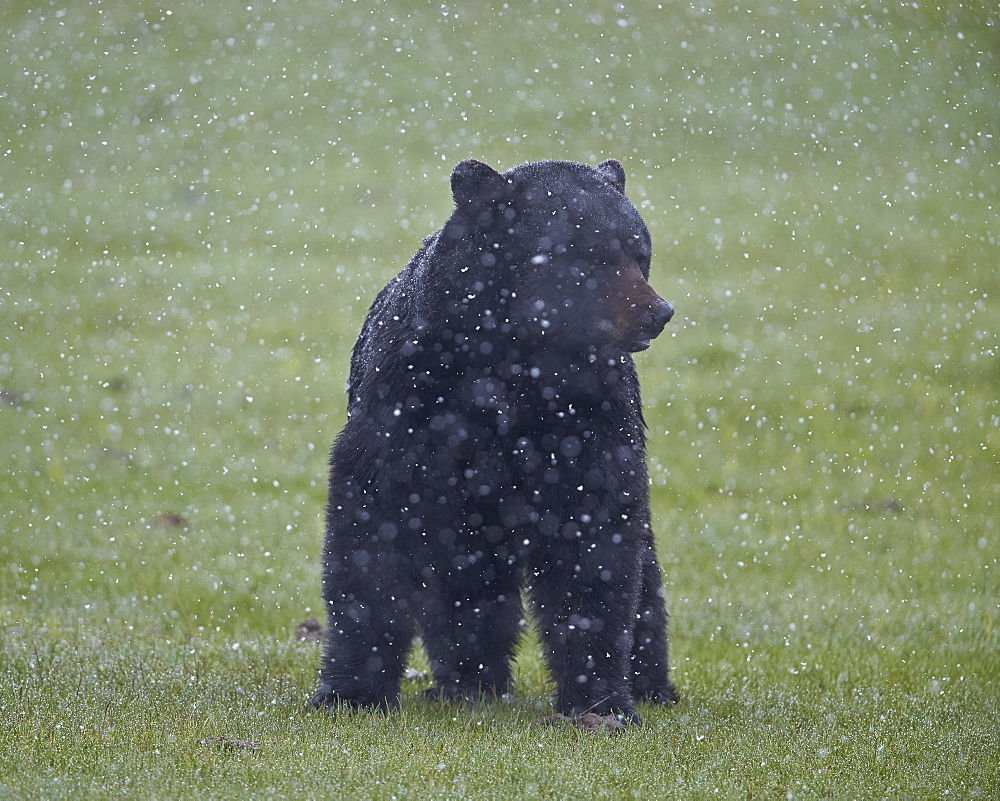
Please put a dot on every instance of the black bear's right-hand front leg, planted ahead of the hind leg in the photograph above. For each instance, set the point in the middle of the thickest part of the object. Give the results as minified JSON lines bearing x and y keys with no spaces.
{"x":586,"y":601}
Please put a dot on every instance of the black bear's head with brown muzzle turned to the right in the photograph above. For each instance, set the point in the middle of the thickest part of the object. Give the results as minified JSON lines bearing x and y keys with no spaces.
{"x":562,"y":254}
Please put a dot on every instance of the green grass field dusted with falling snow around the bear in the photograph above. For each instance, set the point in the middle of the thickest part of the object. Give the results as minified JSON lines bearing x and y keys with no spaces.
{"x":197,"y":205}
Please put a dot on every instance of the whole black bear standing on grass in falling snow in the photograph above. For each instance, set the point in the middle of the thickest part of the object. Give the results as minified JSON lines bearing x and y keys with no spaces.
{"x":494,"y":445}
